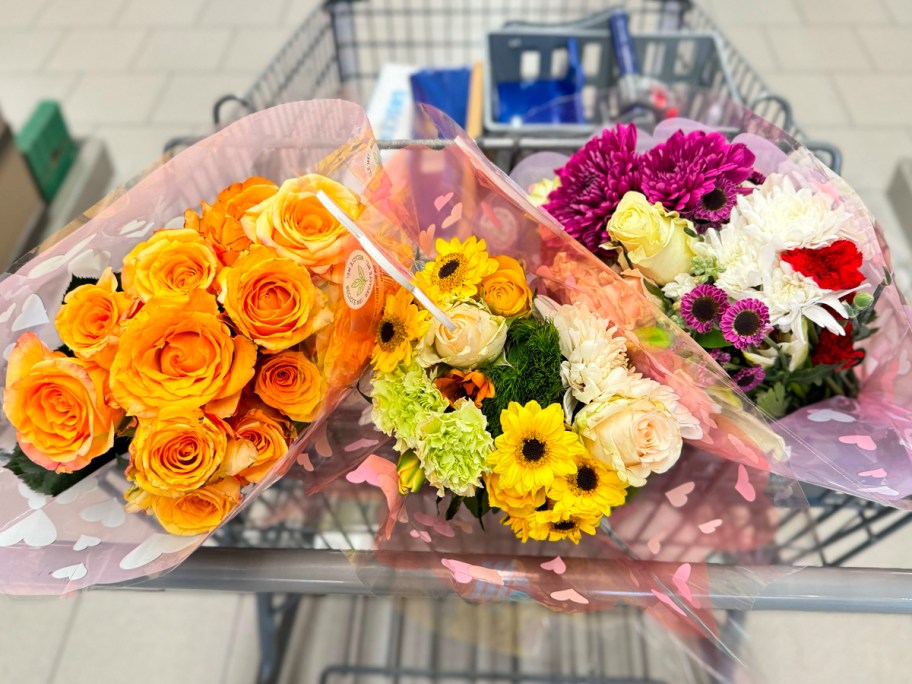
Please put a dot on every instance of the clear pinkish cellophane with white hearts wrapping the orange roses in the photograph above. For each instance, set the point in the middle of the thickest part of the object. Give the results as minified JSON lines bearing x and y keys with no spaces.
{"x":83,"y":537}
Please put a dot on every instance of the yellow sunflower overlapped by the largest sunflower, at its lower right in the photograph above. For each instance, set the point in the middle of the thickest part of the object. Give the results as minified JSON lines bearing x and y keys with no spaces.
{"x":591,"y":487}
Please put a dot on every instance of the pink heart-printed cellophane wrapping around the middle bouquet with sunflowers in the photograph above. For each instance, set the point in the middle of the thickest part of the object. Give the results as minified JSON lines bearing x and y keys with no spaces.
{"x":718,"y":504}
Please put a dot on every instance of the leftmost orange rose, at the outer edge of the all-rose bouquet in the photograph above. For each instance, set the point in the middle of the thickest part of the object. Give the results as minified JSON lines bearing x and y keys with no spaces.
{"x":58,"y":406}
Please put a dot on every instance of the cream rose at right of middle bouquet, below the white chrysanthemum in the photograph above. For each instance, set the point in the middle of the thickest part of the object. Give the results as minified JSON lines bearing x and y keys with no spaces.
{"x":635,"y":437}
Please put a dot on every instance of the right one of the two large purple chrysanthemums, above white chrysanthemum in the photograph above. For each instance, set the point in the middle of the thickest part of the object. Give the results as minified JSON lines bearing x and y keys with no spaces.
{"x":688,"y":166}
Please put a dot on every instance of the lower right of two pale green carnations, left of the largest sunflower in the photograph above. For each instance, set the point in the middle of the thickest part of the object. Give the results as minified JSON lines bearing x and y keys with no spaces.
{"x":453,"y":449}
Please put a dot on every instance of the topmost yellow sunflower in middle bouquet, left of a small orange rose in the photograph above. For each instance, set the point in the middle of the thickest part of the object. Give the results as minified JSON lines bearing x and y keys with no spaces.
{"x":457,"y":271}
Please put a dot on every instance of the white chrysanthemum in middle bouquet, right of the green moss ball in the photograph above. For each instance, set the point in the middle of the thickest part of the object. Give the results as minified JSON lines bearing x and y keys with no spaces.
{"x":595,"y":356}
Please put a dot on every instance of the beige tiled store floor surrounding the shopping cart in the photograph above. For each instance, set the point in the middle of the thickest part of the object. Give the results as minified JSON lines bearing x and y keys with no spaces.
{"x":139,"y":72}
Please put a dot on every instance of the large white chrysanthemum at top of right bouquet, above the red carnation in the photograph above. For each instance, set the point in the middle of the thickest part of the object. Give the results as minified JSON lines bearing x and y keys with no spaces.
{"x":777,"y":217}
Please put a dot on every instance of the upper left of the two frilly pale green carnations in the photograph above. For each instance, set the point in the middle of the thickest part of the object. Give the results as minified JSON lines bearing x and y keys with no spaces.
{"x":402,"y":401}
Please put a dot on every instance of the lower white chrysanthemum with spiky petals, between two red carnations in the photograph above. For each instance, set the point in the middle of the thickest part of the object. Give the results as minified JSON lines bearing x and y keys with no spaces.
{"x":791,"y":297}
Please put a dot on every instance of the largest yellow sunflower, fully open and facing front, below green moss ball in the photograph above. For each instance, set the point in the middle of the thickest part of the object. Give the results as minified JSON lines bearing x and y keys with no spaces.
{"x":534,"y":448}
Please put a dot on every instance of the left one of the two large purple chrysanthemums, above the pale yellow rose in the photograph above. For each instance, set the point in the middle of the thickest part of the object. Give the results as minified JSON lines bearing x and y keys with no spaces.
{"x":593,"y":181}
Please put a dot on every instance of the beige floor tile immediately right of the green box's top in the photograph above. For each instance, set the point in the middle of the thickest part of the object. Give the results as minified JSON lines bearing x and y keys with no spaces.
{"x":115,"y":99}
